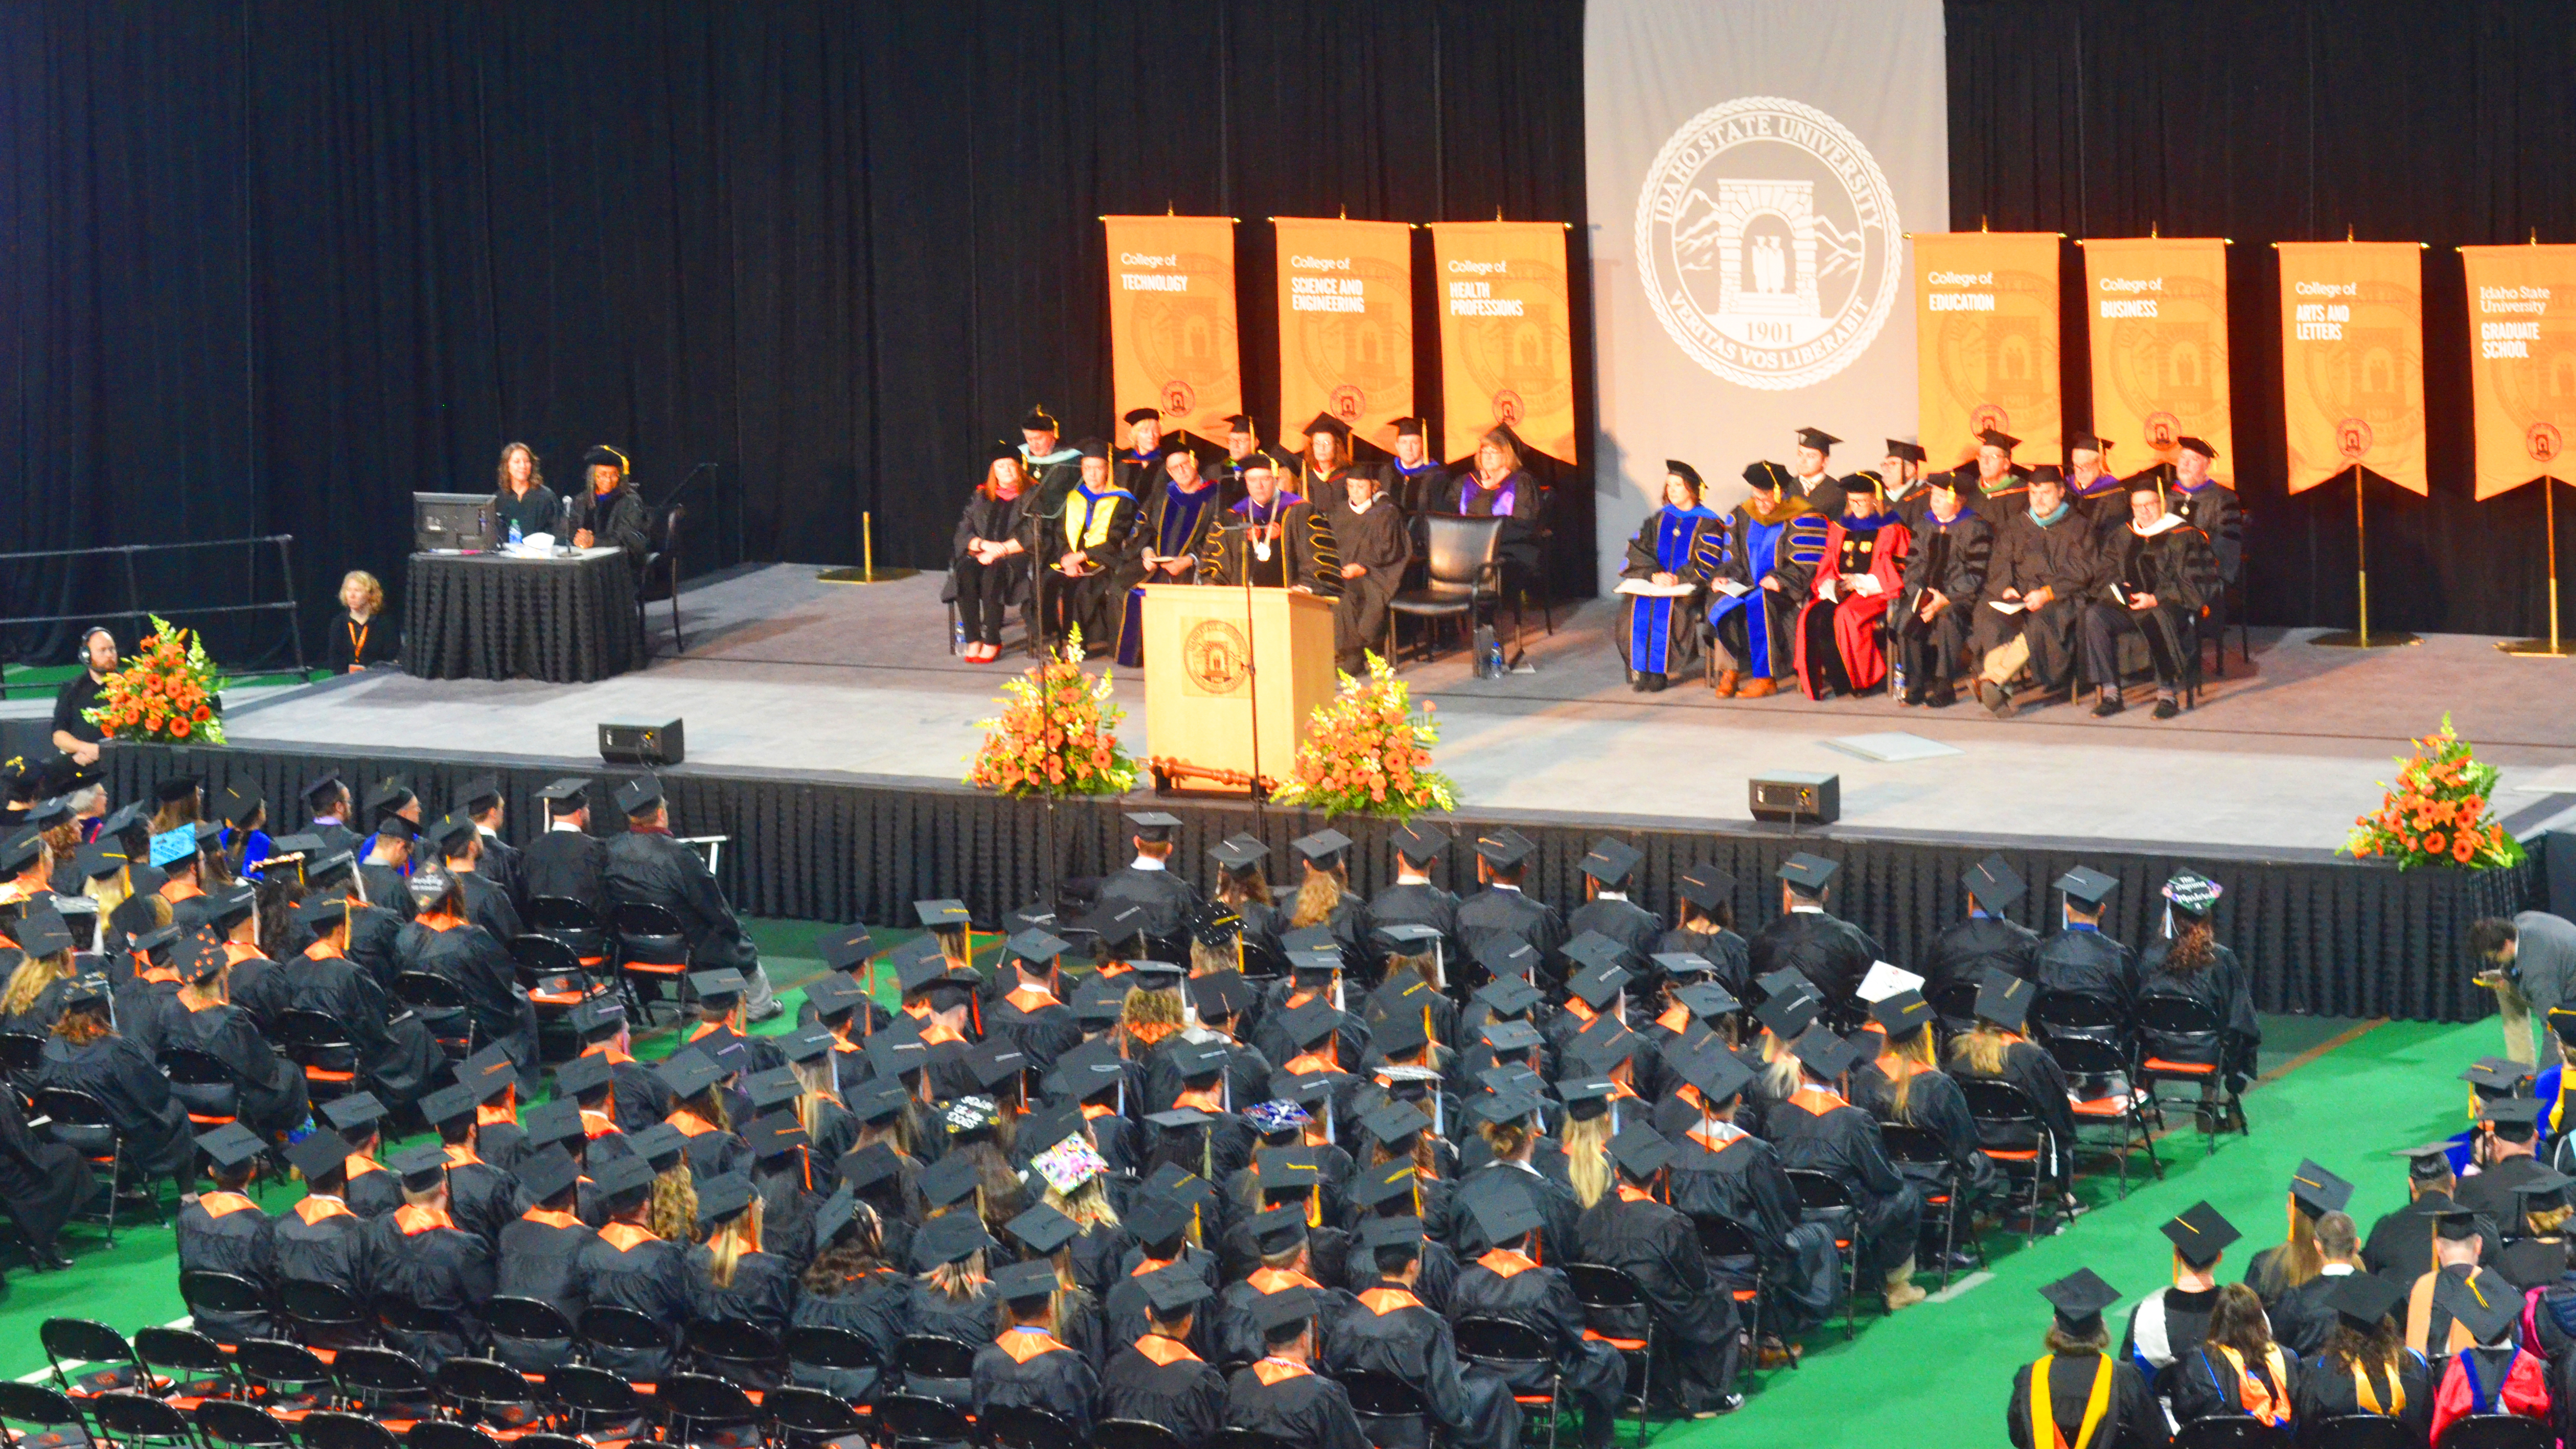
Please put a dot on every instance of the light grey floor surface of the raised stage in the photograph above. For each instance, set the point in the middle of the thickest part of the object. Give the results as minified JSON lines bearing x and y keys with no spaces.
{"x":792,"y":674}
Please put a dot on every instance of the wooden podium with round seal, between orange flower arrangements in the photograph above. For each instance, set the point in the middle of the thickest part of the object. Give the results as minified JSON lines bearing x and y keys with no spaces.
{"x":1202,"y":646}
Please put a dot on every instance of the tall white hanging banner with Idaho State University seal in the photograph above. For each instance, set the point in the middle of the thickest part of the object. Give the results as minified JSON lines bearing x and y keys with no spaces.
{"x":1750,"y":177}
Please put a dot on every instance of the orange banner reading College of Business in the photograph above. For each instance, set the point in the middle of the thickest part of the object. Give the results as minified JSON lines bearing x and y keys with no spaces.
{"x":2157,"y":313}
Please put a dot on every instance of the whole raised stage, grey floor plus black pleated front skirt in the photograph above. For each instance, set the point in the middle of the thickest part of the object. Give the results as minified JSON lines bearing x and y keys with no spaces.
{"x":828,"y":723}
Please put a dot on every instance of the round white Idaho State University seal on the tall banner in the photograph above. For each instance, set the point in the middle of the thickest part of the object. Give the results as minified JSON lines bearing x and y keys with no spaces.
{"x":1766,"y":241}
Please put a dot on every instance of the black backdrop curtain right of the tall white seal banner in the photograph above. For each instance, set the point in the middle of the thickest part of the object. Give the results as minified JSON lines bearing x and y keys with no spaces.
{"x":2297,"y":120}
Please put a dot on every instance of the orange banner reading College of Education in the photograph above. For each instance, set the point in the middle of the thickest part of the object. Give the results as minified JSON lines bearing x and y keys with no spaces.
{"x":1987,"y":342}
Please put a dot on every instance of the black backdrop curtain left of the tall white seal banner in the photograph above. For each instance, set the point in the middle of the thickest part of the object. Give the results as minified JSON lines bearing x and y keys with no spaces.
{"x":272,"y":267}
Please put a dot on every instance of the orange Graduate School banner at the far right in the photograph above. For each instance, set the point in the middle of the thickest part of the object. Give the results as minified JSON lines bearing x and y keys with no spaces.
{"x":2521,"y":362}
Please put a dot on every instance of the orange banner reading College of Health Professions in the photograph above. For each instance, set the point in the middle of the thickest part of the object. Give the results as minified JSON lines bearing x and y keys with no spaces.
{"x":1506,"y":334}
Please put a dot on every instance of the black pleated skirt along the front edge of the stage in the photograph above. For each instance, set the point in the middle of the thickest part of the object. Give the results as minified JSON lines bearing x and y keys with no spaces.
{"x":2317,"y":935}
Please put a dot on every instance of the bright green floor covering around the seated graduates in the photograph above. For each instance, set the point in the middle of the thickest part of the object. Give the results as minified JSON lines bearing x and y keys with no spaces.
{"x":1931,"y":1378}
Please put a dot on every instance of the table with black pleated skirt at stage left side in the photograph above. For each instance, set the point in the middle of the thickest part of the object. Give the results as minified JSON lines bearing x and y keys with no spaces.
{"x":565,"y":620}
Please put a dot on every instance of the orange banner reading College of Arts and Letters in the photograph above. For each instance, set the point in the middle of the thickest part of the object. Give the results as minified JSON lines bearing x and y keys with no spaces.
{"x":2353,"y":360}
